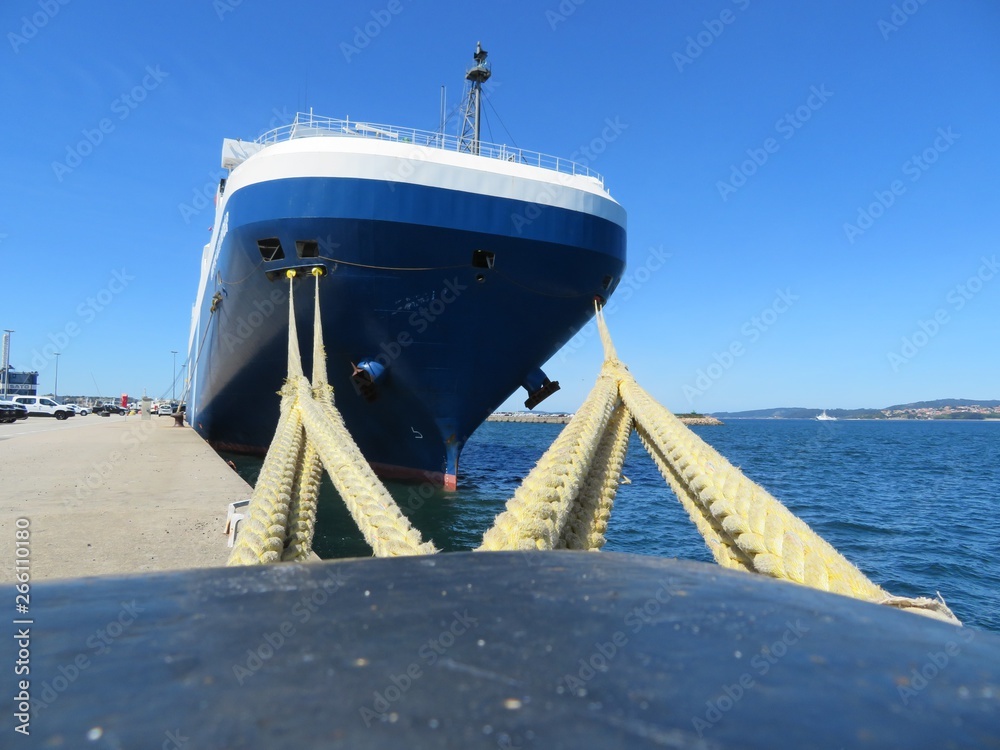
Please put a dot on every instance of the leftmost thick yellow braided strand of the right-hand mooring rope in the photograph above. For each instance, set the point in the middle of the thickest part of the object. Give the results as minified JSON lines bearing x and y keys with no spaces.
{"x":537,"y":514}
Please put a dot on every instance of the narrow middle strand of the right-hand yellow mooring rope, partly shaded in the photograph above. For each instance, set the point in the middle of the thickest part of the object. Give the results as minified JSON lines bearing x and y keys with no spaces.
{"x":588,"y":520}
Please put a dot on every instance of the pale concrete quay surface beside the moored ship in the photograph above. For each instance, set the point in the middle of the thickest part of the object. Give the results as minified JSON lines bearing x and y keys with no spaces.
{"x":112,"y":495}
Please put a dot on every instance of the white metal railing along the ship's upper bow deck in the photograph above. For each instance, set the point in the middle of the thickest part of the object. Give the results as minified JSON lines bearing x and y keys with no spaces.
{"x":306,"y":125}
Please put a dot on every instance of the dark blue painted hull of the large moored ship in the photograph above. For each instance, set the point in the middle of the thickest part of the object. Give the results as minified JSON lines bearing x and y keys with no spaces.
{"x":402,"y":288}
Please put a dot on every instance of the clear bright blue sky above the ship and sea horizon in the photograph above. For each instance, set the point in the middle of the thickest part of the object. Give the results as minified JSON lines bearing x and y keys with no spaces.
{"x":765,"y":293}
